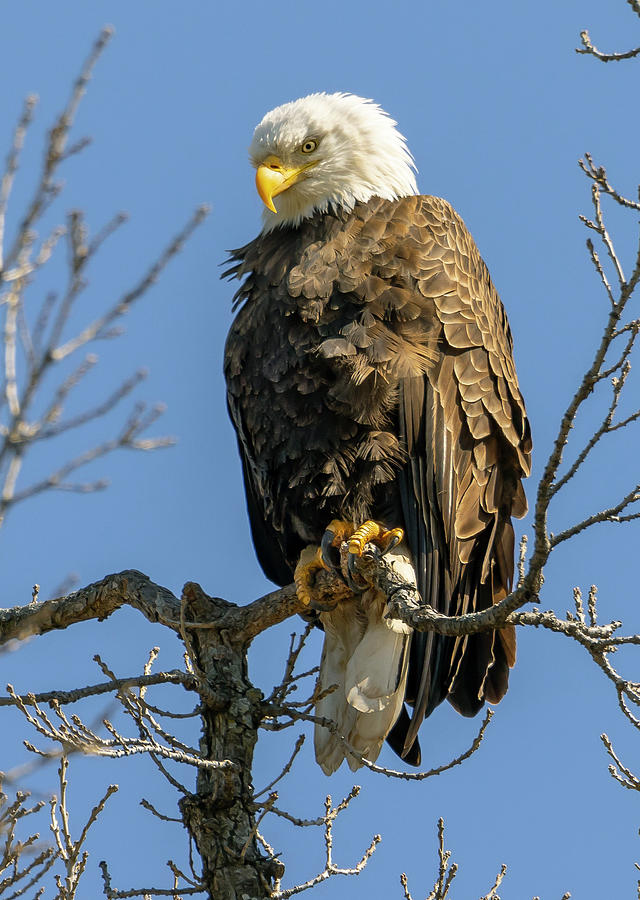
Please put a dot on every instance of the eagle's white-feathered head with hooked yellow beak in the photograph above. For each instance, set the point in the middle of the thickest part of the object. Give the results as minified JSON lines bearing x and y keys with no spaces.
{"x":328,"y":151}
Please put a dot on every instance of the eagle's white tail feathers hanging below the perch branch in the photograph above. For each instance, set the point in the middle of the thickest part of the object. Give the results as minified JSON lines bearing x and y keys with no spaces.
{"x":366,"y":657}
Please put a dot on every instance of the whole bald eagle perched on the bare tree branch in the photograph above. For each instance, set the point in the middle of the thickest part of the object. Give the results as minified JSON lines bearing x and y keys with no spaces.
{"x":370,"y":378}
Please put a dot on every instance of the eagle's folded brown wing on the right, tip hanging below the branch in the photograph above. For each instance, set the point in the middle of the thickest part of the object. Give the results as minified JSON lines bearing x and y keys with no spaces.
{"x":469,"y":445}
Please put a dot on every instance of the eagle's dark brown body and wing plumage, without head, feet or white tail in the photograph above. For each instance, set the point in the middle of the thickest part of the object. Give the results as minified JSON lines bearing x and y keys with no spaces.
{"x":370,"y":375}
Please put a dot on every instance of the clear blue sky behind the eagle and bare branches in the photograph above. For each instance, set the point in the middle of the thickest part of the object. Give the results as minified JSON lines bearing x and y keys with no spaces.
{"x":496,"y":107}
